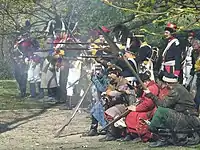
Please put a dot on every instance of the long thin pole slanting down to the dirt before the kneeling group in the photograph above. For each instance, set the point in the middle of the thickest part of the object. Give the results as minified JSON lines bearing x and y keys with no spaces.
{"x":75,"y":111}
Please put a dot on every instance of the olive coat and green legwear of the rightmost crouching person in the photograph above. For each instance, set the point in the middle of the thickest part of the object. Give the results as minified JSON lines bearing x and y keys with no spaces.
{"x":175,"y":113}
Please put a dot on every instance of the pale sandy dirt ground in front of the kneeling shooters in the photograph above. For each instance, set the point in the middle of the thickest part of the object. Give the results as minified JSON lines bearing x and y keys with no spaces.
{"x":35,"y":130}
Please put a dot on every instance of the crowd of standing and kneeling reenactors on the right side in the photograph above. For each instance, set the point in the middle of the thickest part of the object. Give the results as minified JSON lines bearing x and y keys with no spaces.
{"x":165,"y":109}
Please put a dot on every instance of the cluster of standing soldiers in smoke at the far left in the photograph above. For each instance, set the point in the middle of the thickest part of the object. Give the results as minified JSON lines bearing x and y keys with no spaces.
{"x":39,"y":68}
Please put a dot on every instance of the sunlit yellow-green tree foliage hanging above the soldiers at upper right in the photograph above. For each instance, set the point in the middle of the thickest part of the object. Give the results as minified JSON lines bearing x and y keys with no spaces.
{"x":152,"y":16}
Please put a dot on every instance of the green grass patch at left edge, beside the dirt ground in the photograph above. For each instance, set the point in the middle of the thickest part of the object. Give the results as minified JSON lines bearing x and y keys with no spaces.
{"x":9,"y":98}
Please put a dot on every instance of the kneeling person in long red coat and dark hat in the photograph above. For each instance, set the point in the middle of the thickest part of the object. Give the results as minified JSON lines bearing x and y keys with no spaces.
{"x":144,"y":110}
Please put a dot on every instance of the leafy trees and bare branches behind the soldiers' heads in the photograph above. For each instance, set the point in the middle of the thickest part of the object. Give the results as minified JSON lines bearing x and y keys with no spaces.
{"x":146,"y":17}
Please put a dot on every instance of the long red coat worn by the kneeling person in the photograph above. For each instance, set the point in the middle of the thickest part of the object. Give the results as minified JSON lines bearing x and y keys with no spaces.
{"x":144,"y":110}
